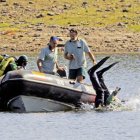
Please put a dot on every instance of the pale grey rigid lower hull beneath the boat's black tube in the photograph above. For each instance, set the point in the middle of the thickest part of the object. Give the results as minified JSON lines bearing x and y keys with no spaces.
{"x":27,"y":104}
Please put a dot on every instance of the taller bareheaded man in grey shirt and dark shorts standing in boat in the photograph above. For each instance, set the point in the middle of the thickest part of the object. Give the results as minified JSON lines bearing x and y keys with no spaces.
{"x":74,"y":51}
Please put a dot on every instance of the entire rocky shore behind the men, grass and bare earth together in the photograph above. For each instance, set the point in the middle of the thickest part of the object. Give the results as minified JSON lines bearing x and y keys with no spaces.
{"x":26,"y":26}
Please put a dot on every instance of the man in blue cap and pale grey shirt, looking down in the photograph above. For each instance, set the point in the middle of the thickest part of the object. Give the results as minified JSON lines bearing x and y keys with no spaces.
{"x":47,"y":61}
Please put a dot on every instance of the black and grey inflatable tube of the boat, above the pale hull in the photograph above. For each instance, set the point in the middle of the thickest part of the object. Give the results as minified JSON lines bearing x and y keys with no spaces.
{"x":35,"y":84}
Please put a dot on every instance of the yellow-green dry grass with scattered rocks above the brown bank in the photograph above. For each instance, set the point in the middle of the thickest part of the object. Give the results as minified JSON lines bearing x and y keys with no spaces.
{"x":97,"y":13}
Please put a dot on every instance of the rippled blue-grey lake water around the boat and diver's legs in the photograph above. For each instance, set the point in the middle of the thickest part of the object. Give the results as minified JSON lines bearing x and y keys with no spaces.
{"x":84,"y":125}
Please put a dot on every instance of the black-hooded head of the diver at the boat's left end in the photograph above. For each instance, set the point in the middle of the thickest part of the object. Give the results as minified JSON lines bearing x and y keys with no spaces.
{"x":22,"y":60}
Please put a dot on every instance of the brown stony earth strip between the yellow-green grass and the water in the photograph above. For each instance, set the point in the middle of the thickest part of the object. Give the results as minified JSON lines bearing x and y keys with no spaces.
{"x":101,"y":40}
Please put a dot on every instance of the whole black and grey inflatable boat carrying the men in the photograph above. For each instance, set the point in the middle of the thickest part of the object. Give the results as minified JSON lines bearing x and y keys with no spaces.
{"x":32,"y":91}
